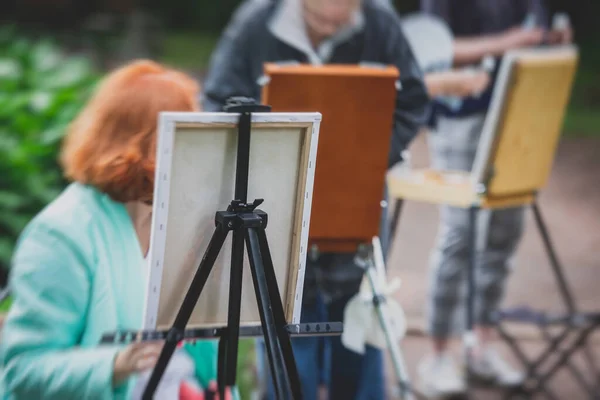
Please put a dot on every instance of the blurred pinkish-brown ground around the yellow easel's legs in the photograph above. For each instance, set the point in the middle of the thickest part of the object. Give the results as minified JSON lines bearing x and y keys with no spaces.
{"x":570,"y":207}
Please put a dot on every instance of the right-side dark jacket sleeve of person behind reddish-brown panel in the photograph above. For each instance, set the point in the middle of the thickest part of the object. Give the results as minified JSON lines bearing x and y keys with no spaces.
{"x":412,"y":101}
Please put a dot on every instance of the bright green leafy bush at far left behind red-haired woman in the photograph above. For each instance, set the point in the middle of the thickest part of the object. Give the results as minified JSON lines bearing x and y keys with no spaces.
{"x":41,"y":91}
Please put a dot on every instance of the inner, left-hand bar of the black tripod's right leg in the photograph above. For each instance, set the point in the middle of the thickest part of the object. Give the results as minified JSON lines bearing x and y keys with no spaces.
{"x":263,"y":296}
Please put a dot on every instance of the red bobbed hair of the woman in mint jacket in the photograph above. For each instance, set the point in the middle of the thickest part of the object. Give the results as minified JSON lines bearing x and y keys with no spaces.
{"x":111,"y":145}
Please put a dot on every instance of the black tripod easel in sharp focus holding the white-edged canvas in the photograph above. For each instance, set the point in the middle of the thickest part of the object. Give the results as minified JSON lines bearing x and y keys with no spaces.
{"x":248,"y":226}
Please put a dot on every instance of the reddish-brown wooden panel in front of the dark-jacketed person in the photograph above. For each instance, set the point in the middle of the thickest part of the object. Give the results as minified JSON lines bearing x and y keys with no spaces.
{"x":357,"y":104}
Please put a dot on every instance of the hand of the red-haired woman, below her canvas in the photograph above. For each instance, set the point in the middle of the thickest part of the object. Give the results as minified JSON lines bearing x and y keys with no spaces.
{"x":134,"y":359}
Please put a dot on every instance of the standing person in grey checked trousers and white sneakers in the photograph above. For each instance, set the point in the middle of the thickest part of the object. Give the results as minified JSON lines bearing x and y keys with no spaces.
{"x":481,"y":28}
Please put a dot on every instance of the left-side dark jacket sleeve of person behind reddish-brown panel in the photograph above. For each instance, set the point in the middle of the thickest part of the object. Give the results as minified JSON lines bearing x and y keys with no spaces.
{"x":229,"y":72}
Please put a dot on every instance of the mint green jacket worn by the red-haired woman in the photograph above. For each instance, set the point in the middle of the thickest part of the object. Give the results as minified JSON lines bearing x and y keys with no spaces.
{"x":77,"y":273}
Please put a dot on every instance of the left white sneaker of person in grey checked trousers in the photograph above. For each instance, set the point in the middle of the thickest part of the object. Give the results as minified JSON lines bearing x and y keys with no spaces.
{"x":440,"y":377}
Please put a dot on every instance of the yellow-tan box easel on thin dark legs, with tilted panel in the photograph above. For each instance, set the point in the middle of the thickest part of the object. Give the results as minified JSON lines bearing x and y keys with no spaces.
{"x":513,"y":163}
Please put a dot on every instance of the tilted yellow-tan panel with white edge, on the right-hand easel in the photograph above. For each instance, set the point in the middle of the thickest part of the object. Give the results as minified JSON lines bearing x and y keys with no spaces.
{"x":524,"y":123}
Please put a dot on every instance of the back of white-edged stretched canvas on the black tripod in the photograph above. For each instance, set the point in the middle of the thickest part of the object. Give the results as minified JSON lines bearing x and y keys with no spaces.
{"x":195,"y":179}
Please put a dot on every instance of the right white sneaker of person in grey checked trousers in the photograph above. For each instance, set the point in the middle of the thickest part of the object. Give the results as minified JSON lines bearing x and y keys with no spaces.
{"x":490,"y":367}
